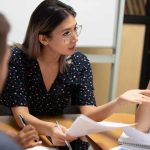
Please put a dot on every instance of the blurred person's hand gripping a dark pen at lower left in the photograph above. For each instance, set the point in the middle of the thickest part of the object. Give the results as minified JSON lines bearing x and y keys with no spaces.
{"x":28,"y":137}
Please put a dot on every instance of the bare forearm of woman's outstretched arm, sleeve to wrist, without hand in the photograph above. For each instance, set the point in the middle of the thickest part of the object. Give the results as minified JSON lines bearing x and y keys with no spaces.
{"x":100,"y":113}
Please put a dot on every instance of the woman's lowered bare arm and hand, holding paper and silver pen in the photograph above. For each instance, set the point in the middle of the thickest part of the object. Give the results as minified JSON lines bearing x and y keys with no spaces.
{"x":43,"y":127}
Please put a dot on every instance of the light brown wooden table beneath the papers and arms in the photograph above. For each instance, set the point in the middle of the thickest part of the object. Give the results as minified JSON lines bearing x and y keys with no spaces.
{"x":100,"y":141}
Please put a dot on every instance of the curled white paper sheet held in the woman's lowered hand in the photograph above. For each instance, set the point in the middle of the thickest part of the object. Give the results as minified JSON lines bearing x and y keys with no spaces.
{"x":83,"y":126}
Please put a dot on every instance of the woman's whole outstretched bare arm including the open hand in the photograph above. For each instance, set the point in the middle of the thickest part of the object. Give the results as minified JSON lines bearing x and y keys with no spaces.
{"x":101,"y":112}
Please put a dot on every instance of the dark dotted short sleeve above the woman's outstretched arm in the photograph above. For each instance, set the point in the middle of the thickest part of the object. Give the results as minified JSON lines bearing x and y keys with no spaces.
{"x":83,"y":93}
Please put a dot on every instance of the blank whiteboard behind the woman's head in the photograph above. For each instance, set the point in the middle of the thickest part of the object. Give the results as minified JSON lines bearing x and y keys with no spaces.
{"x":98,"y":18}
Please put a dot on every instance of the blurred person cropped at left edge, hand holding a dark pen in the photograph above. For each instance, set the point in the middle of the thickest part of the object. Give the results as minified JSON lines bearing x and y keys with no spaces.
{"x":24,"y":138}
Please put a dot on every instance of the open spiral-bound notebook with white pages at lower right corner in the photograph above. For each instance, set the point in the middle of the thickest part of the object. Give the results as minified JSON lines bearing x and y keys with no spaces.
{"x":135,"y":138}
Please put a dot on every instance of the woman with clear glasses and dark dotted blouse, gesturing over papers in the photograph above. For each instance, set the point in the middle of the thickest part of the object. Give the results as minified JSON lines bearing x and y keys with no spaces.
{"x":47,"y":74}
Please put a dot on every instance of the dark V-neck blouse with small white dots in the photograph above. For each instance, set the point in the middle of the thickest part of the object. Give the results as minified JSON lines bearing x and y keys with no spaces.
{"x":25,"y":87}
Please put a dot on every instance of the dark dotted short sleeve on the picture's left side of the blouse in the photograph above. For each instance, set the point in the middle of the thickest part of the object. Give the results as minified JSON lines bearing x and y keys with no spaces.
{"x":14,"y":92}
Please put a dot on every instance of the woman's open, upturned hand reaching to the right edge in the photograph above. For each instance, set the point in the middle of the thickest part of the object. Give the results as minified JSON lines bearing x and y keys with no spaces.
{"x":136,"y":96}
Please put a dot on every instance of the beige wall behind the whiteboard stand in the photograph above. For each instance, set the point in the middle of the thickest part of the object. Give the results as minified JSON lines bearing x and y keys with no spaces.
{"x":129,"y":66}
